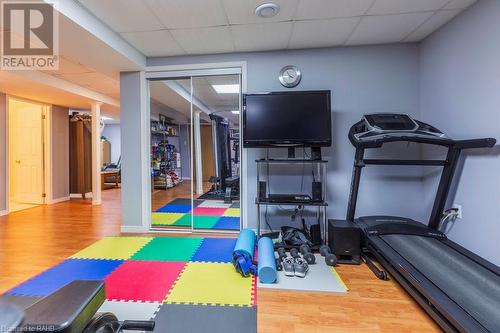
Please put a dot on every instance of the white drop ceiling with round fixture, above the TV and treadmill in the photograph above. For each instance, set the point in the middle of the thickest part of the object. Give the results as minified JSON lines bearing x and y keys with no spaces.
{"x":179,"y":27}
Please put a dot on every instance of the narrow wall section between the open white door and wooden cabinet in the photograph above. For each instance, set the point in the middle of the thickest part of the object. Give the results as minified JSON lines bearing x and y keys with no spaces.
{"x":60,"y":152}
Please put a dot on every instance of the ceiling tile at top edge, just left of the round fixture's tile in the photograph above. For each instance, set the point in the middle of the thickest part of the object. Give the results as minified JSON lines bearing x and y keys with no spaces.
{"x":181,"y":14}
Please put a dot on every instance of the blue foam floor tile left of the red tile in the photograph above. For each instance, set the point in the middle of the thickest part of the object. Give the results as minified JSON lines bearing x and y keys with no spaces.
{"x":63,"y":273}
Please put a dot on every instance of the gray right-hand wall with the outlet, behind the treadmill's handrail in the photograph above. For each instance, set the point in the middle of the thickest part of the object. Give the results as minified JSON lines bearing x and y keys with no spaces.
{"x":460,"y":94}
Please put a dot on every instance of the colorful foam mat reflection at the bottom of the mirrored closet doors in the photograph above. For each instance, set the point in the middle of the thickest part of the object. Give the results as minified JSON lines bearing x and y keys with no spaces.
{"x":205,"y":214}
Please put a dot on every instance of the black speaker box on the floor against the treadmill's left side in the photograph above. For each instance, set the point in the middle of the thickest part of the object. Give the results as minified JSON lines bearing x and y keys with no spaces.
{"x":344,"y":239}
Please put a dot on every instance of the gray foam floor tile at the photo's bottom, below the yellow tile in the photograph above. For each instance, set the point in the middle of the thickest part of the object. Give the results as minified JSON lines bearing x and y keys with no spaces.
{"x":177,"y":318}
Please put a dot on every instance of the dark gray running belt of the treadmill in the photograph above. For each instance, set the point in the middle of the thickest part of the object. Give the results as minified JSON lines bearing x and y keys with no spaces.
{"x":471,"y":286}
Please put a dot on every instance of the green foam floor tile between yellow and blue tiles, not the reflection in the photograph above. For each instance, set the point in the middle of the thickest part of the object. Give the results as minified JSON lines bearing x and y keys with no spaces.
{"x":169,"y":249}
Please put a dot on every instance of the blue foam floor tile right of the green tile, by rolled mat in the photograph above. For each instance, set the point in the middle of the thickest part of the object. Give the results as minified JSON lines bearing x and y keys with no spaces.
{"x":215,"y":250}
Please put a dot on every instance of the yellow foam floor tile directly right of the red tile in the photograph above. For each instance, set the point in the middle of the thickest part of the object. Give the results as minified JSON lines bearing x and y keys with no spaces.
{"x":211,"y":284}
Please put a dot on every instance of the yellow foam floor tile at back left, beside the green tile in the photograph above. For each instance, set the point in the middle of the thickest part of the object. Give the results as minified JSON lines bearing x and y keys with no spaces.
{"x":113,"y":248}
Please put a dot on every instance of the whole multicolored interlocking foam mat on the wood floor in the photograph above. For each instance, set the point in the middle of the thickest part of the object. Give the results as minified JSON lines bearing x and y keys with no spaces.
{"x":184,"y":284}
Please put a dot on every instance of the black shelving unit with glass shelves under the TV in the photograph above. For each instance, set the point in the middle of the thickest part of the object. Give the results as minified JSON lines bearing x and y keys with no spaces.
{"x":320,"y":166}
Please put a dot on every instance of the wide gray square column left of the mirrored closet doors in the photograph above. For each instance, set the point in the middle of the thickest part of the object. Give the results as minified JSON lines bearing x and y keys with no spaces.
{"x":135,"y":136}
